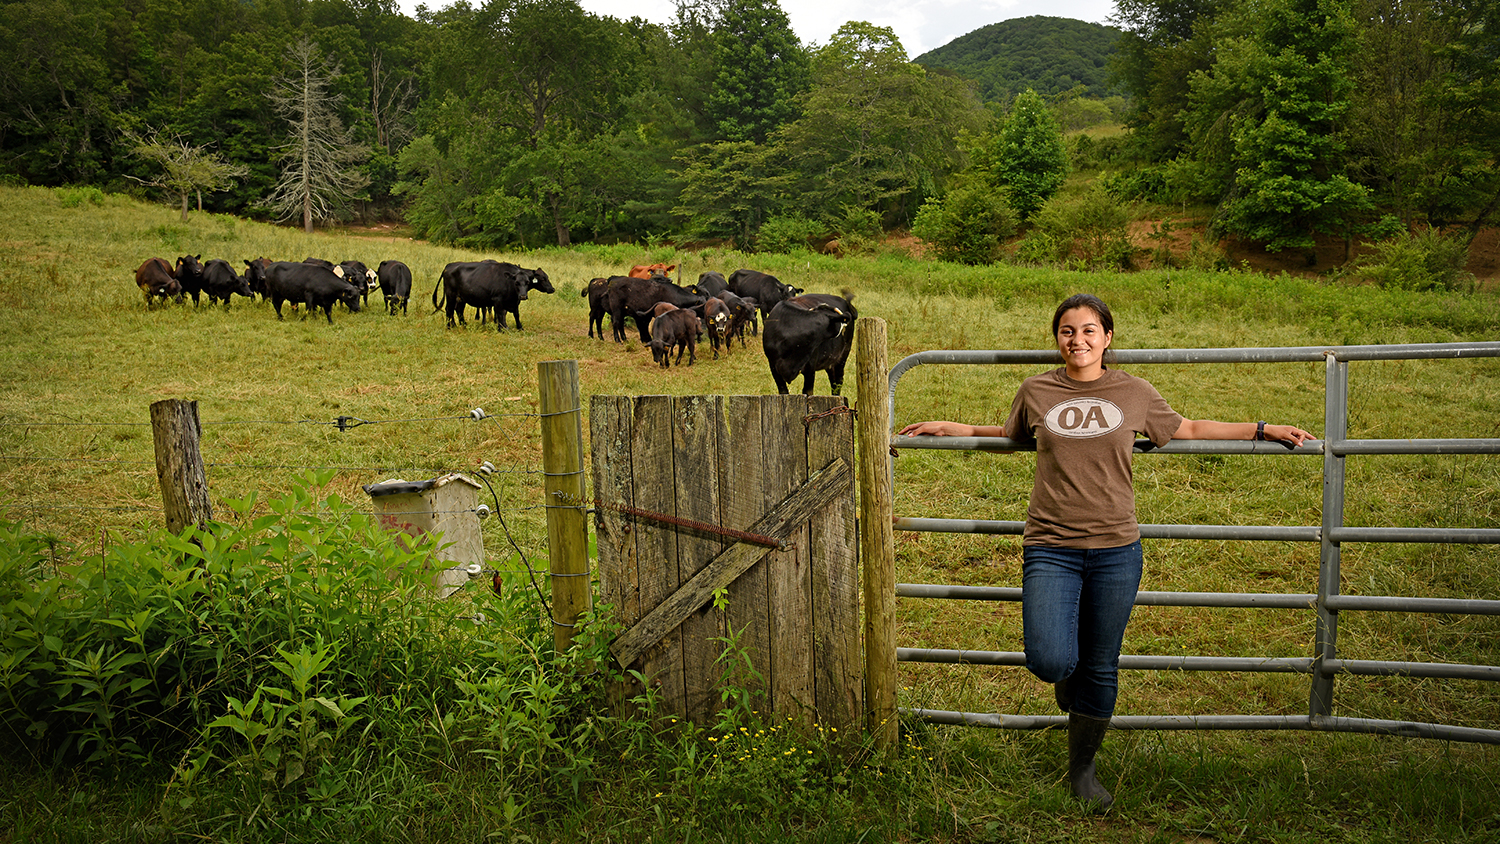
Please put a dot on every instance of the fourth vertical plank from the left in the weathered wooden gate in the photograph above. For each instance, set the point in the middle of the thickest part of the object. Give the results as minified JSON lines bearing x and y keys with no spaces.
{"x":740,"y":471}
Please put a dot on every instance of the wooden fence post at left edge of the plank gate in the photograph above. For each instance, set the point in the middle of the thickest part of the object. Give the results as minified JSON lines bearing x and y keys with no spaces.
{"x":568,"y":524}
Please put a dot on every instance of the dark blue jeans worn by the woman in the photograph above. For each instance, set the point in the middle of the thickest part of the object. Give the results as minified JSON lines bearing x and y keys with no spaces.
{"x":1075,"y":608}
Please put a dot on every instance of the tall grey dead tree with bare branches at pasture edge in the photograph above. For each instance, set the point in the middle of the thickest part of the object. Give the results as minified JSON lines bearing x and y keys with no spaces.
{"x":320,"y":160}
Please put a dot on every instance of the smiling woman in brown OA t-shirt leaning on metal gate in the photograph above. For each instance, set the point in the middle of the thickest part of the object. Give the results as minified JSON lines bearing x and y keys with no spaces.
{"x":1081,"y":554}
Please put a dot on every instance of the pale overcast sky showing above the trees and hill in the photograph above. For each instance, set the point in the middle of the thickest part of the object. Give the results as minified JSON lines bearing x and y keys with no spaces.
{"x":922,"y":25}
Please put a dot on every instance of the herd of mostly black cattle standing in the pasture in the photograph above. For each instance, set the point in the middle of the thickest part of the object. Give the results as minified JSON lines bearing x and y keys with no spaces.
{"x":800,"y":334}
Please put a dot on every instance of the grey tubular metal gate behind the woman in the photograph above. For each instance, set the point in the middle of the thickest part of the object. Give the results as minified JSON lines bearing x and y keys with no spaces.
{"x":1328,"y":603}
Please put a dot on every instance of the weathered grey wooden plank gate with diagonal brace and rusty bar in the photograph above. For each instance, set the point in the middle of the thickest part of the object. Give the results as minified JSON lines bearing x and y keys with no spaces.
{"x":679,"y":485}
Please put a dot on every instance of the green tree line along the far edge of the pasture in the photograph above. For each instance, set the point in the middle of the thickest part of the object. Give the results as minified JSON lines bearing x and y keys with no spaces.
{"x":535,"y":122}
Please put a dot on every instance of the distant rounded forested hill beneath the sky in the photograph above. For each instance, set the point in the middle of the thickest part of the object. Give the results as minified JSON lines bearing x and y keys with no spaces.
{"x":1042,"y":53}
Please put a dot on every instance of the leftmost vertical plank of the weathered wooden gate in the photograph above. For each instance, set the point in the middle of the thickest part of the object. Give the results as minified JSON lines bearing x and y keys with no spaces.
{"x":610,"y":426}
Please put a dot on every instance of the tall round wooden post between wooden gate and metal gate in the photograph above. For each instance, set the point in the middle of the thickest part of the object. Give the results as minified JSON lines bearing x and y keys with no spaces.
{"x":877,"y":537}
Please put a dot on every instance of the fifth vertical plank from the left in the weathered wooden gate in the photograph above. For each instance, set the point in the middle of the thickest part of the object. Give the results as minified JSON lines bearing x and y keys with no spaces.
{"x":785,"y":453}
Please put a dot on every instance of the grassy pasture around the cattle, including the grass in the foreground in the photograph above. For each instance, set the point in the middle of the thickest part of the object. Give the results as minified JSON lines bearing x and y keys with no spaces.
{"x":83,"y":359}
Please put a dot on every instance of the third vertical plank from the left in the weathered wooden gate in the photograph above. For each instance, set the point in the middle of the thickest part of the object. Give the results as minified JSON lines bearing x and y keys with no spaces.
{"x":697,"y":422}
